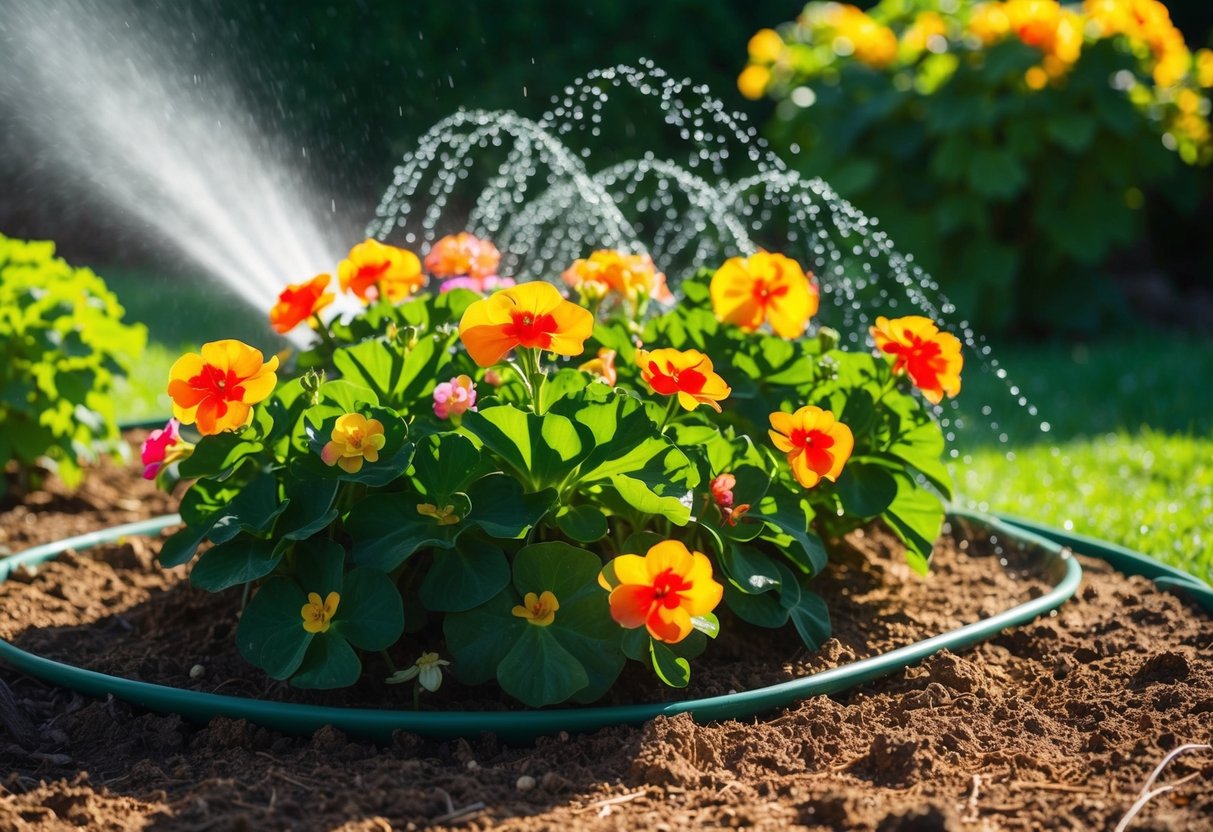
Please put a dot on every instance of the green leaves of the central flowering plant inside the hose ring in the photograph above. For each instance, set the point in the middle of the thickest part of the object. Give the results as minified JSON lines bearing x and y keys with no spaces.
{"x":496,"y":533}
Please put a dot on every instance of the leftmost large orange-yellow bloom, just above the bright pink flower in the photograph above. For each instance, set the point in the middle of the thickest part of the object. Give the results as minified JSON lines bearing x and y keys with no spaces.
{"x":217,"y":390}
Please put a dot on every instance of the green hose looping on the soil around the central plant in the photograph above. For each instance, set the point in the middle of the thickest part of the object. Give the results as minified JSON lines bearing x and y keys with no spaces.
{"x":525,"y":726}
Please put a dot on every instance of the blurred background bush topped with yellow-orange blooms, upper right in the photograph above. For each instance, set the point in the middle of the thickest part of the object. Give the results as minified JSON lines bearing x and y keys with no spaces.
{"x":1010,"y":145}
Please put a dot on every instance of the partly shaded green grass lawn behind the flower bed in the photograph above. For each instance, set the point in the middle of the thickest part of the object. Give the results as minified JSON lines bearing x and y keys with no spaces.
{"x":1127,"y":455}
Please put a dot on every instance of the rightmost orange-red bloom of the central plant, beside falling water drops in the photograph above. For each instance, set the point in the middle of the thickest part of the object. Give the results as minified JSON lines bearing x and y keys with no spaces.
{"x":931,"y":358}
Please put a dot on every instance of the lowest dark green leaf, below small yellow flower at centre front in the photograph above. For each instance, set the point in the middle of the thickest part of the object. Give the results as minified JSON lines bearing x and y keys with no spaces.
{"x":539,"y":671}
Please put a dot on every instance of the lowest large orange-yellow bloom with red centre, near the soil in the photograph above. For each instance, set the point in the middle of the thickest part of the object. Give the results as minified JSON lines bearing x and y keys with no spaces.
{"x":663,"y":591}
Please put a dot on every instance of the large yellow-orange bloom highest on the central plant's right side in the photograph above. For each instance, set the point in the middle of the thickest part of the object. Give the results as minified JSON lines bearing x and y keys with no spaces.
{"x":765,"y":288}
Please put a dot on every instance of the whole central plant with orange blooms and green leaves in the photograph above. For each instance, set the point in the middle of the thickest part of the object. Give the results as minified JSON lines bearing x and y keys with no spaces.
{"x":534,"y":494}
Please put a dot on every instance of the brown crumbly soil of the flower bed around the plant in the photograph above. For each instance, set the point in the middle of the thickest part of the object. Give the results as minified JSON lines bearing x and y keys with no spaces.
{"x":1052,"y":726}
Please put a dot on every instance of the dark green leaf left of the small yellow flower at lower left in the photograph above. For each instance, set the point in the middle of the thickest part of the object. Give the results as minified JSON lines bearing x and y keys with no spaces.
{"x":271,"y":632}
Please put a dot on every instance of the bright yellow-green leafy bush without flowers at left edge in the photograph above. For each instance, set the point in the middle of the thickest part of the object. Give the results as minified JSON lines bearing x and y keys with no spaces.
{"x":64,"y":346}
